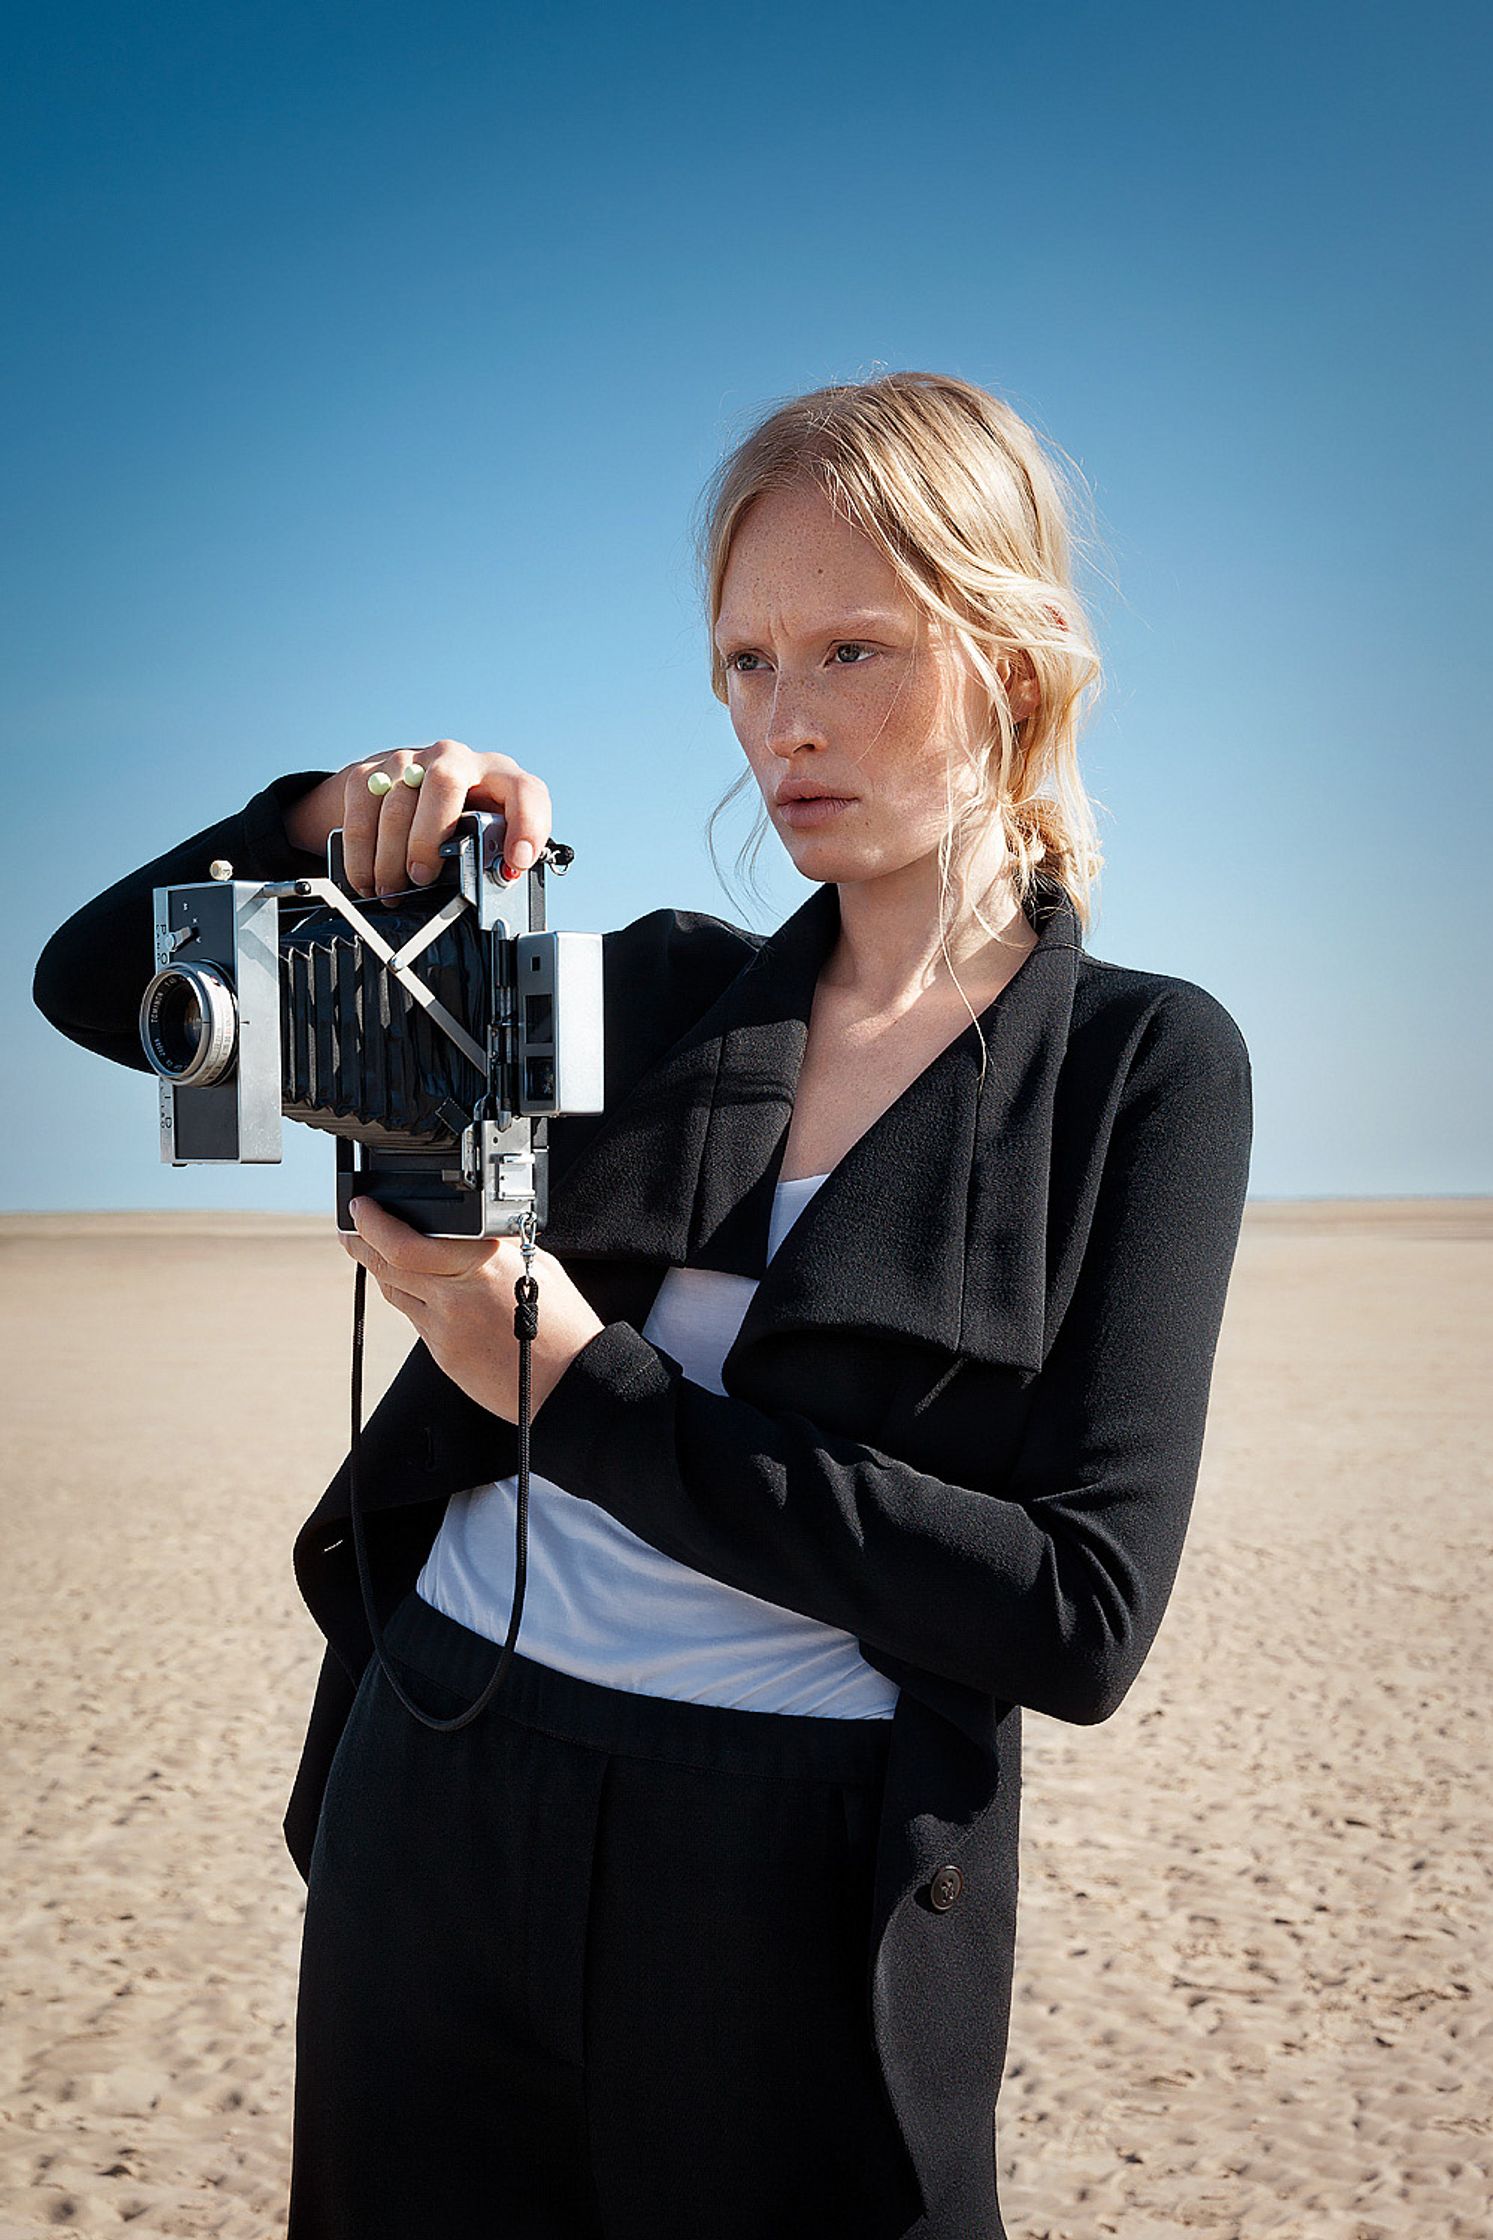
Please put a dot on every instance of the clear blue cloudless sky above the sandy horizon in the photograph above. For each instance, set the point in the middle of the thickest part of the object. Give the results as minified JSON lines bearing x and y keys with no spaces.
{"x":364,"y":364}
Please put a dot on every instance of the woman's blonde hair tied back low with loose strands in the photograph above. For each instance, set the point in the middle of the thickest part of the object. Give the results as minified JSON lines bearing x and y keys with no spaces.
{"x":959,"y":494}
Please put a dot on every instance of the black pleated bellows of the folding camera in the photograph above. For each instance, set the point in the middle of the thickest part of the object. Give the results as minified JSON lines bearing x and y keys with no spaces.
{"x":359,"y":1052}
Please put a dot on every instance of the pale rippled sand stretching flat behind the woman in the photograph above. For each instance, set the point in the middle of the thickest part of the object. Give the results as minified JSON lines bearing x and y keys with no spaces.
{"x":1252,"y":1992}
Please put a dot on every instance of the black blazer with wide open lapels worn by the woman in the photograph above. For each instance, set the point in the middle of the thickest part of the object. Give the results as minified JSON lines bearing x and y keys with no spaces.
{"x":961,"y":1419}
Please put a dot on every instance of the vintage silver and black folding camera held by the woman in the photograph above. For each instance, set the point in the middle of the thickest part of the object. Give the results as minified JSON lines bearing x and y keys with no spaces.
{"x":433,"y":1034}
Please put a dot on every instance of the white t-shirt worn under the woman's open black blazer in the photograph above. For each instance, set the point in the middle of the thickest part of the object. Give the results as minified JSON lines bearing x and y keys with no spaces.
{"x":610,"y":1607}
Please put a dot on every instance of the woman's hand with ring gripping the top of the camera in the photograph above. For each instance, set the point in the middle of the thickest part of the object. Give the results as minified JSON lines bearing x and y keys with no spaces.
{"x":393,"y":841}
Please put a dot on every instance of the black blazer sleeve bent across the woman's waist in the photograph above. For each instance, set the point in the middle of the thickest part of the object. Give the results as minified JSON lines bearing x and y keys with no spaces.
{"x":1049,"y":1587}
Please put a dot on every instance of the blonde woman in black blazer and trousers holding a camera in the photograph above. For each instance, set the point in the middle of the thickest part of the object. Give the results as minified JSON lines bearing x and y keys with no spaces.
{"x":876,"y":1332}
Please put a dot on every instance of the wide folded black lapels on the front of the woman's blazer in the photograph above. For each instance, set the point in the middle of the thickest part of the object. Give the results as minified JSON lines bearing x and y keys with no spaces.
{"x":932,"y":1229}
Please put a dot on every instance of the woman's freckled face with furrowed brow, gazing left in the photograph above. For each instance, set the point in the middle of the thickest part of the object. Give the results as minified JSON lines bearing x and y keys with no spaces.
{"x":834,"y":682}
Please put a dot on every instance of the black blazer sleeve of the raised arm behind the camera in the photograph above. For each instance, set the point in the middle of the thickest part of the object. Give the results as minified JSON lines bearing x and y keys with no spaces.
{"x":97,"y":967}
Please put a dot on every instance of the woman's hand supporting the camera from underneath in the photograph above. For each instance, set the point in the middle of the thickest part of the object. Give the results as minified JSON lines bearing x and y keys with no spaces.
{"x":460,"y":1298}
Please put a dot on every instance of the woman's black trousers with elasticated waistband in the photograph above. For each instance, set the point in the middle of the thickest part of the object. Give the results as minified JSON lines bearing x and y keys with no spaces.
{"x":594,"y":1968}
